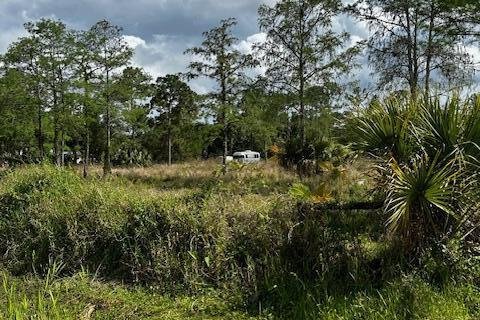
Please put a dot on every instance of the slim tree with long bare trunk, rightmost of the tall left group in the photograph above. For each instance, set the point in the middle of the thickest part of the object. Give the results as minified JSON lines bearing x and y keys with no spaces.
{"x":111,"y":53}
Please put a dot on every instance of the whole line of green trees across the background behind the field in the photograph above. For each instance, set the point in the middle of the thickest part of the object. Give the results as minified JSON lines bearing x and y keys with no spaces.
{"x":72,"y":95}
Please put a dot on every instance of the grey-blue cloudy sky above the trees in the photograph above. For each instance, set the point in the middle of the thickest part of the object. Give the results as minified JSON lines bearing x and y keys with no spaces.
{"x":159,"y":30}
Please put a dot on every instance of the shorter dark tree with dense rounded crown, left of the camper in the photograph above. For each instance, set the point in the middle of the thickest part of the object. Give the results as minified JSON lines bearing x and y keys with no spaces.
{"x":174,"y":103}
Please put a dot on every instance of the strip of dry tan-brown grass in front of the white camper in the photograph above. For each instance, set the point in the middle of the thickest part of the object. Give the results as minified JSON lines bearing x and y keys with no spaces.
{"x":351,"y":181}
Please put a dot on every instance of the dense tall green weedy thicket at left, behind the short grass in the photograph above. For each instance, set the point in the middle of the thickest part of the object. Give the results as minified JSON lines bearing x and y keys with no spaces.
{"x":176,"y":238}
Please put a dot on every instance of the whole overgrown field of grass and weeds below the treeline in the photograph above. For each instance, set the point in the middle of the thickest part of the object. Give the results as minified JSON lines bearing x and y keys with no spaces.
{"x":185,"y":242}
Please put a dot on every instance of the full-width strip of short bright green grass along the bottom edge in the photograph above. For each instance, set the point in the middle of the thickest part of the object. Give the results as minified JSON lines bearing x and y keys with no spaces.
{"x":84,"y":297}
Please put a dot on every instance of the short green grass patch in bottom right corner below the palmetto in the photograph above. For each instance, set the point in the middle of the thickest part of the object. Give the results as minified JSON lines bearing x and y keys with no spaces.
{"x":406,"y":298}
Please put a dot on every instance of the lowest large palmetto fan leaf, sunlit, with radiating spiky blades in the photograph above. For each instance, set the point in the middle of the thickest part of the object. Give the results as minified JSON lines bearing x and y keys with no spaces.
{"x":420,"y":194}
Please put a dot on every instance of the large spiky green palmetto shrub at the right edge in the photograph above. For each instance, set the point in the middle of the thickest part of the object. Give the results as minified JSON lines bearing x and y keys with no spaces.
{"x":429,"y":179}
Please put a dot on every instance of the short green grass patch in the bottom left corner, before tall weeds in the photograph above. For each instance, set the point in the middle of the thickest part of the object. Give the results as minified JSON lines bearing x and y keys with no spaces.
{"x":81,"y":297}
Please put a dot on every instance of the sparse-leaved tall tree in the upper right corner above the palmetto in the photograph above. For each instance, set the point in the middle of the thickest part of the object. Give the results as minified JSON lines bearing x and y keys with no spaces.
{"x":414,"y":42}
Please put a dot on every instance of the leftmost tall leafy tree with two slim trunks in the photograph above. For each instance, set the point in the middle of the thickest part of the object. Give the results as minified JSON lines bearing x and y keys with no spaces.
{"x":45,"y":55}
